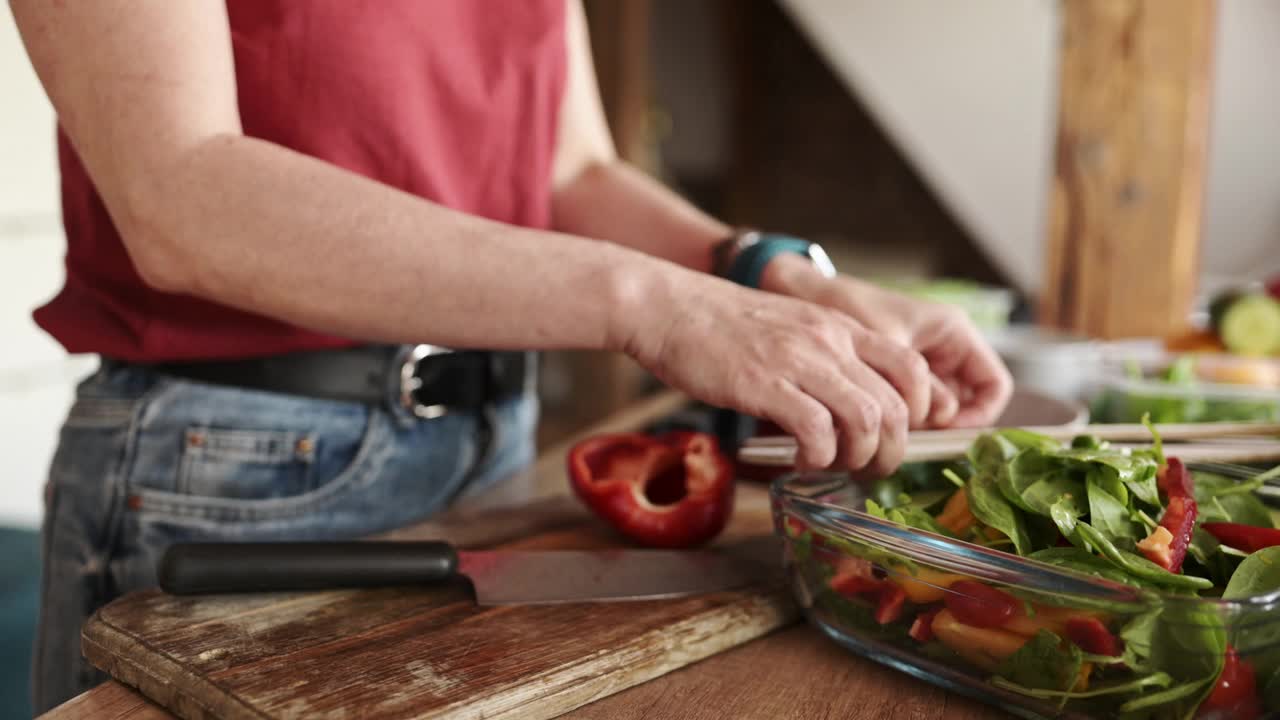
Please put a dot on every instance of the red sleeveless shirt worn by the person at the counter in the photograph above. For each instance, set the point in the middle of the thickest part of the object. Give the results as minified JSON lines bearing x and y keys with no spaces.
{"x":452,"y":101}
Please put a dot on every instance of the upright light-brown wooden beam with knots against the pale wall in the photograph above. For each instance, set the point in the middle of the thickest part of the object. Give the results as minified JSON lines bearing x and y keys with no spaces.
{"x":1127,"y":206}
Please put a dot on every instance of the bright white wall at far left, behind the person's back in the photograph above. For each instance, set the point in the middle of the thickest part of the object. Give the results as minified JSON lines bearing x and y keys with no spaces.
{"x":36,"y":376}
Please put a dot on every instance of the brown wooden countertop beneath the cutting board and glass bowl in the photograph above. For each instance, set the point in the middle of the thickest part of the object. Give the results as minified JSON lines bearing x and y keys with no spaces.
{"x":793,"y":673}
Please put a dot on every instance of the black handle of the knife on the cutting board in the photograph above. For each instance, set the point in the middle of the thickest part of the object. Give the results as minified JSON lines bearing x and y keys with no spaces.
{"x":273,"y":567}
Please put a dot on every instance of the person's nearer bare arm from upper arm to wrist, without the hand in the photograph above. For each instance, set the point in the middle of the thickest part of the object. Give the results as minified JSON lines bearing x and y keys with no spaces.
{"x":147,"y":92}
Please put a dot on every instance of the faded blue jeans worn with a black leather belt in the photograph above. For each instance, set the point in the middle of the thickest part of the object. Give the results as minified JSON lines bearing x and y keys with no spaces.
{"x":145,"y":461}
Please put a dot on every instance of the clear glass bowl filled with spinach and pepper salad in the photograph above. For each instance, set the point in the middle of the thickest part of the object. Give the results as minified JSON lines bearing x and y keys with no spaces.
{"x":829,"y":541}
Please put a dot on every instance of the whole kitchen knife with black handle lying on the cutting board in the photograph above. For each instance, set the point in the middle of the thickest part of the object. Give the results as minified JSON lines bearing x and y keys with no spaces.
{"x":500,"y":577}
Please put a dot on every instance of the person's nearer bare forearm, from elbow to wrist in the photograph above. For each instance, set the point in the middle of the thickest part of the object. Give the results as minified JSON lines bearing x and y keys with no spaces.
{"x":259,"y":227}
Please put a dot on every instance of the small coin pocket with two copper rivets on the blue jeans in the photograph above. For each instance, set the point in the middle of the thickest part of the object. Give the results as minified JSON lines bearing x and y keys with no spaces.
{"x":246,"y":464}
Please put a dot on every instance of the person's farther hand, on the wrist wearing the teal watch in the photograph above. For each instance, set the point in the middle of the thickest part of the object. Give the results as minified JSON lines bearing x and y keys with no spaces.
{"x":971,"y":385}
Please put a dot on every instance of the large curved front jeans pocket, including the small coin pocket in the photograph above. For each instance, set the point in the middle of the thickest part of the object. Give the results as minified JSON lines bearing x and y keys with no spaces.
{"x":232,"y":455}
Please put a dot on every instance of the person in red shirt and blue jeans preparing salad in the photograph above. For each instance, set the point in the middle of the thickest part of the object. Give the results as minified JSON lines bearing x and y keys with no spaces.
{"x":316,"y":245}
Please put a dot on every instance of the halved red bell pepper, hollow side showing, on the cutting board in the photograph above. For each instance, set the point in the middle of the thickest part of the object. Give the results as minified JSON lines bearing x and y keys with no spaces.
{"x":669,"y":491}
